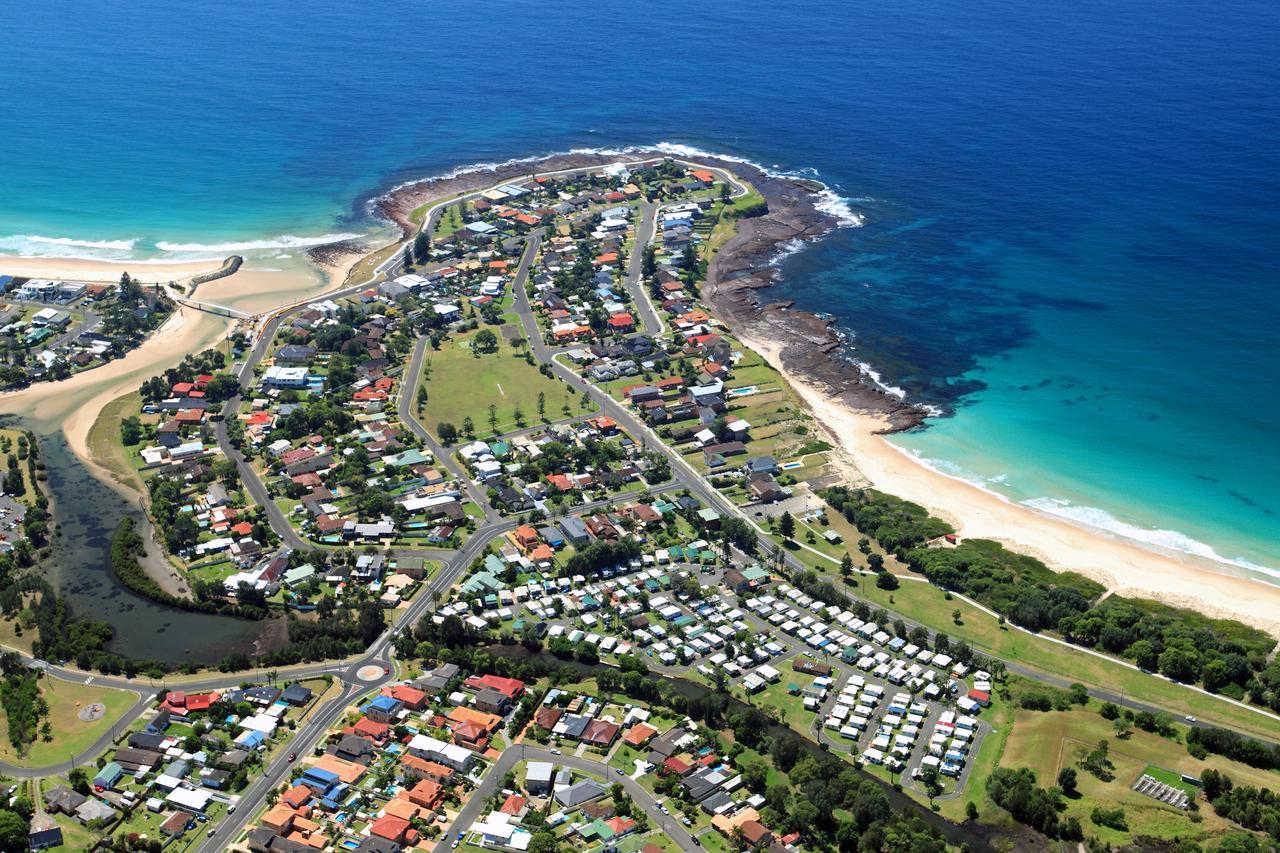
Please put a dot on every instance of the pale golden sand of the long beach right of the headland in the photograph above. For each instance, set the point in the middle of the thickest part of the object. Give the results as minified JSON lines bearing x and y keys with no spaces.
{"x":1124,"y":568}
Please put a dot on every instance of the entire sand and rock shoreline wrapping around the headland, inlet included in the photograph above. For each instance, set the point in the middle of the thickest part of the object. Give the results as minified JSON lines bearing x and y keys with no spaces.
{"x":847,"y":400}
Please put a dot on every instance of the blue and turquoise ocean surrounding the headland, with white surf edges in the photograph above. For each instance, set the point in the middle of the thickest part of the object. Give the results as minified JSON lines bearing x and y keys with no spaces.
{"x":1072,"y":209}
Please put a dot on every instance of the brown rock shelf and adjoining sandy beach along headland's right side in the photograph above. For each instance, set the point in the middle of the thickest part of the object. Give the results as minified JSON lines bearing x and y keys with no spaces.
{"x":861,"y":416}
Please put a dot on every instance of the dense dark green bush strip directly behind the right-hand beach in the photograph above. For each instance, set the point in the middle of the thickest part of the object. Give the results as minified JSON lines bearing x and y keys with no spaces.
{"x":1226,"y":656}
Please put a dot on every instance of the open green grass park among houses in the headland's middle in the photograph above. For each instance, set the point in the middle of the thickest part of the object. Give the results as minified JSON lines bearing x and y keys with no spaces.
{"x":463,"y":386}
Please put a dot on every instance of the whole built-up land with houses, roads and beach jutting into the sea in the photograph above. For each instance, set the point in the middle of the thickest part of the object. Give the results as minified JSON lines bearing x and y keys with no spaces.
{"x":551,"y":531}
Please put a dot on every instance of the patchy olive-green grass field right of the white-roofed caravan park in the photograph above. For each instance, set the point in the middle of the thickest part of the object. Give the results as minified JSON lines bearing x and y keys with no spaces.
{"x":1048,"y":742}
